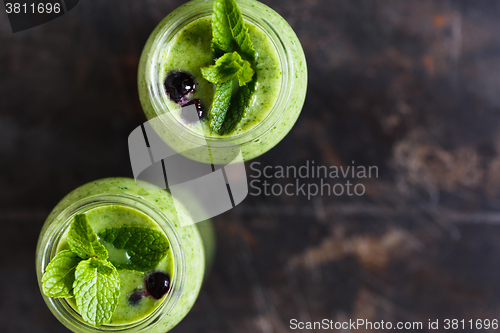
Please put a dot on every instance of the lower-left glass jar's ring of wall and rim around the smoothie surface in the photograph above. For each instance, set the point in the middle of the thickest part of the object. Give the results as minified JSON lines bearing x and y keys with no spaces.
{"x":191,"y":250}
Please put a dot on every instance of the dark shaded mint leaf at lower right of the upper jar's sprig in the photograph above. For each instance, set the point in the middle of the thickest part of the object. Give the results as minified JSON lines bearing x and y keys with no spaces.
{"x":237,"y":107}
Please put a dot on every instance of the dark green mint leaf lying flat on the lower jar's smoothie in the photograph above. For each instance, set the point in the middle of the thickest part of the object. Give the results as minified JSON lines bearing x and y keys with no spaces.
{"x":145,"y":247}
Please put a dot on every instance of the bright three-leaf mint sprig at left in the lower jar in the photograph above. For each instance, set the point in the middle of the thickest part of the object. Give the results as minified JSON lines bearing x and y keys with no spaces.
{"x":84,"y":273}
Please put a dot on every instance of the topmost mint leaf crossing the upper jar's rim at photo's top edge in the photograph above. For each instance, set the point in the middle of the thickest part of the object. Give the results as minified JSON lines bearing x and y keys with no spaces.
{"x":228,"y":28}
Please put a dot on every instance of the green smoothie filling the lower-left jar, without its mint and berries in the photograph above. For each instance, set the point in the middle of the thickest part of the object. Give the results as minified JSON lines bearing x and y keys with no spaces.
{"x":120,"y":202}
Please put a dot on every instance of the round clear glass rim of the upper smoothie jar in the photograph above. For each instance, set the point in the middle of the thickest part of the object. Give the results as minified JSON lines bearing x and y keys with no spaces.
{"x":174,"y":23}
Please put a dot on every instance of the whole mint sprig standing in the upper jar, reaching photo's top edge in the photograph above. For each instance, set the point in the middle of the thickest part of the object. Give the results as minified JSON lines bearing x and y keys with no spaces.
{"x":230,"y":41}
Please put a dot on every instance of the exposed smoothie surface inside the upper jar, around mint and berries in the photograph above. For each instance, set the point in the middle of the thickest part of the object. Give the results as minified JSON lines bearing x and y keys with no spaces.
{"x":190,"y":50}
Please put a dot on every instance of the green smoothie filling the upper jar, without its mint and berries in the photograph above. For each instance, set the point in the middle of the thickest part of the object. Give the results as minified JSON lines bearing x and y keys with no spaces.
{"x":181,"y":43}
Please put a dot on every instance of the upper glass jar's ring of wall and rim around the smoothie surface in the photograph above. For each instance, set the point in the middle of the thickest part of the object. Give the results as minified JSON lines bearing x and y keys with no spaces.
{"x":262,"y":136}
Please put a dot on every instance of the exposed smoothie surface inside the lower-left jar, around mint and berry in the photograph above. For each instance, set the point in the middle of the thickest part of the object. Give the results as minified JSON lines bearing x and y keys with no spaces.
{"x":116,"y":216}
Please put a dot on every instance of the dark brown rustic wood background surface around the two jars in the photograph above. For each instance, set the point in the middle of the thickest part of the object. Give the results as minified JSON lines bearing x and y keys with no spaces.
{"x":412,"y":87}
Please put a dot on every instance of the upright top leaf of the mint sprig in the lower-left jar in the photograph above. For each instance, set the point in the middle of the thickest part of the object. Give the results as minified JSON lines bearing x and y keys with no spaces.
{"x":83,"y":241}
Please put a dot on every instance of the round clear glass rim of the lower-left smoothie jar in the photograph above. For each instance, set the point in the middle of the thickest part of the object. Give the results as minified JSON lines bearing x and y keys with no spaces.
{"x":66,"y":314}
